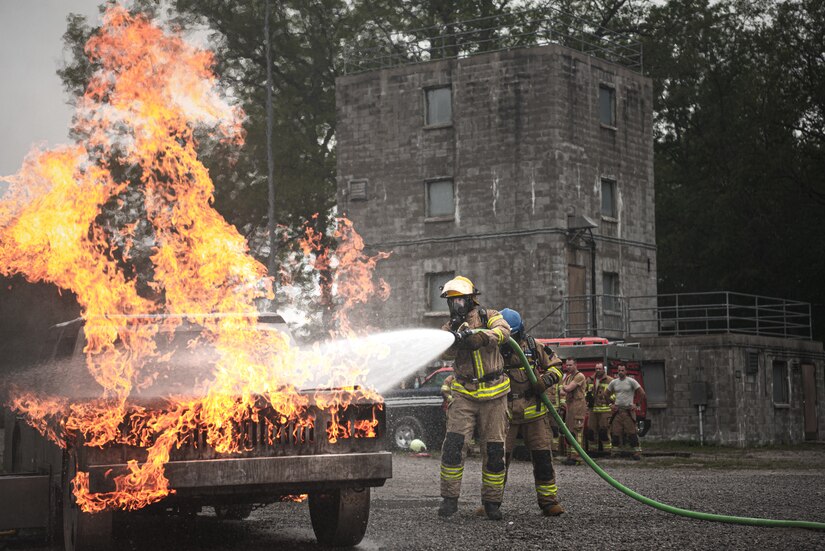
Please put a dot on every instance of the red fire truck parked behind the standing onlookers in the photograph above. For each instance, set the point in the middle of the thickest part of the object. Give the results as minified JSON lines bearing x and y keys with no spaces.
{"x":588,"y":351}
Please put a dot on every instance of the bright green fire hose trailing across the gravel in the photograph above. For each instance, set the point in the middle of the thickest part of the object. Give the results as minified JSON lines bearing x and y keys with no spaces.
{"x":646,"y":500}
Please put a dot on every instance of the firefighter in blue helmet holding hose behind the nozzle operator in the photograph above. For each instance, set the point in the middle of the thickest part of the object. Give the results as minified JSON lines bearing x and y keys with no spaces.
{"x":528,"y":415}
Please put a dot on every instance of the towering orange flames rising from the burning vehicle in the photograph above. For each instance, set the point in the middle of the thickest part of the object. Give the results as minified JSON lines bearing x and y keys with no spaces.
{"x":84,"y":218}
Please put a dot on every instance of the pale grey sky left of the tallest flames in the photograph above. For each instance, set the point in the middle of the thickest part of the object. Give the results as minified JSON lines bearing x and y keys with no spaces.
{"x":33,"y":106}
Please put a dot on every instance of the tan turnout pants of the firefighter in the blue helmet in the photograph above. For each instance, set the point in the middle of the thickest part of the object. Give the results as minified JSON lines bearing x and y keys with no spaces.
{"x":536,"y":435}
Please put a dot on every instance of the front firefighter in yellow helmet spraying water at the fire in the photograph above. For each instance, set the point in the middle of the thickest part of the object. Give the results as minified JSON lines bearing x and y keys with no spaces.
{"x":479,"y":394}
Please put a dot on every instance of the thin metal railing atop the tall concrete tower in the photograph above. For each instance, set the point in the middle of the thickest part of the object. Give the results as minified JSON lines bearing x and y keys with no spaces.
{"x":516,"y":29}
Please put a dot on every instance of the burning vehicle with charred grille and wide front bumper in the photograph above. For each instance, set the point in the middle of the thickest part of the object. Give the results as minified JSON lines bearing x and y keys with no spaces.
{"x":327,"y":443}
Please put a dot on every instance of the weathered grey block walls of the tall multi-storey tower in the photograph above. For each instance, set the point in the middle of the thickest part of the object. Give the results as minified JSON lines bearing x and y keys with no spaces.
{"x":525,"y":150}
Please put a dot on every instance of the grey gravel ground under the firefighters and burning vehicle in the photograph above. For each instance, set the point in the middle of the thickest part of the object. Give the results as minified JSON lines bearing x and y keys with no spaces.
{"x":403,"y":514}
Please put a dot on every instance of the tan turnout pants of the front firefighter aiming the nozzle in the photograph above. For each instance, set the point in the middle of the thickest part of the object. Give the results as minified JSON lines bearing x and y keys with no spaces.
{"x":490,"y":418}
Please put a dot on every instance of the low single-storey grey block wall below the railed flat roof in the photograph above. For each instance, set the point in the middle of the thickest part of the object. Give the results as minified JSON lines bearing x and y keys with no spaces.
{"x":740,"y":409}
